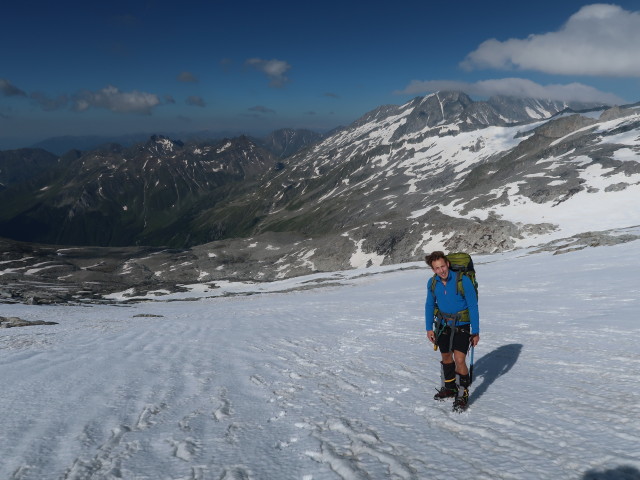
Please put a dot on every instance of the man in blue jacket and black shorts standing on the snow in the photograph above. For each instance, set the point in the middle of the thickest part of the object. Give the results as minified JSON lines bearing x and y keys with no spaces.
{"x":454,"y":328}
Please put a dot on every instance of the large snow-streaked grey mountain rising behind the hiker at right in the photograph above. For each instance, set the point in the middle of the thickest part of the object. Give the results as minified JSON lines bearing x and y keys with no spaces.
{"x":403,"y":180}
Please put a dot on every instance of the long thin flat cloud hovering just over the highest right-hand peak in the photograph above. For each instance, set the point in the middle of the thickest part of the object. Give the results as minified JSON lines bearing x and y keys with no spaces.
{"x":517,"y":87}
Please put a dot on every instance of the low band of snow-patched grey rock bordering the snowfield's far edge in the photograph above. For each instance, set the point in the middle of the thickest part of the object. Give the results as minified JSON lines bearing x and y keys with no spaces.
{"x":48,"y":275}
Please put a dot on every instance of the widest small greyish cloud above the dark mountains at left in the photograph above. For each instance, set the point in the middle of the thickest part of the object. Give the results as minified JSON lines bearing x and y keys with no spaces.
{"x":113,"y":99}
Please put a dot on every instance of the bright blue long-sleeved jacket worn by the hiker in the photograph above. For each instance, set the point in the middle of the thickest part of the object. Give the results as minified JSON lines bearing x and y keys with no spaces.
{"x":451,"y":302}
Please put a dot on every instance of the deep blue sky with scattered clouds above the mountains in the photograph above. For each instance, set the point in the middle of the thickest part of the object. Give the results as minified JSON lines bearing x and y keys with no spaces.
{"x":79,"y":68}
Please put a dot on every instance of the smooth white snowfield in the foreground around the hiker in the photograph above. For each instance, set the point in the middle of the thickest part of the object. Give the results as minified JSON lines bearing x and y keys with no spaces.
{"x":334,"y":382}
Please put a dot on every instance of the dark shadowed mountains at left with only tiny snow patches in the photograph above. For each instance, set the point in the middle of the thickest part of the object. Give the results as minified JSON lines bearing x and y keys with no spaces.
{"x":145,"y":194}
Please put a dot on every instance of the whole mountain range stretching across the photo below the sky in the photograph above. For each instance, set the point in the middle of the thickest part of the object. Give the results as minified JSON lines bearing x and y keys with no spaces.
{"x":441,"y":171}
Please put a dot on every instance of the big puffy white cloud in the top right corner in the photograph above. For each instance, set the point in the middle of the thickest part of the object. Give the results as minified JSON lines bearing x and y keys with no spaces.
{"x":599,"y":39}
